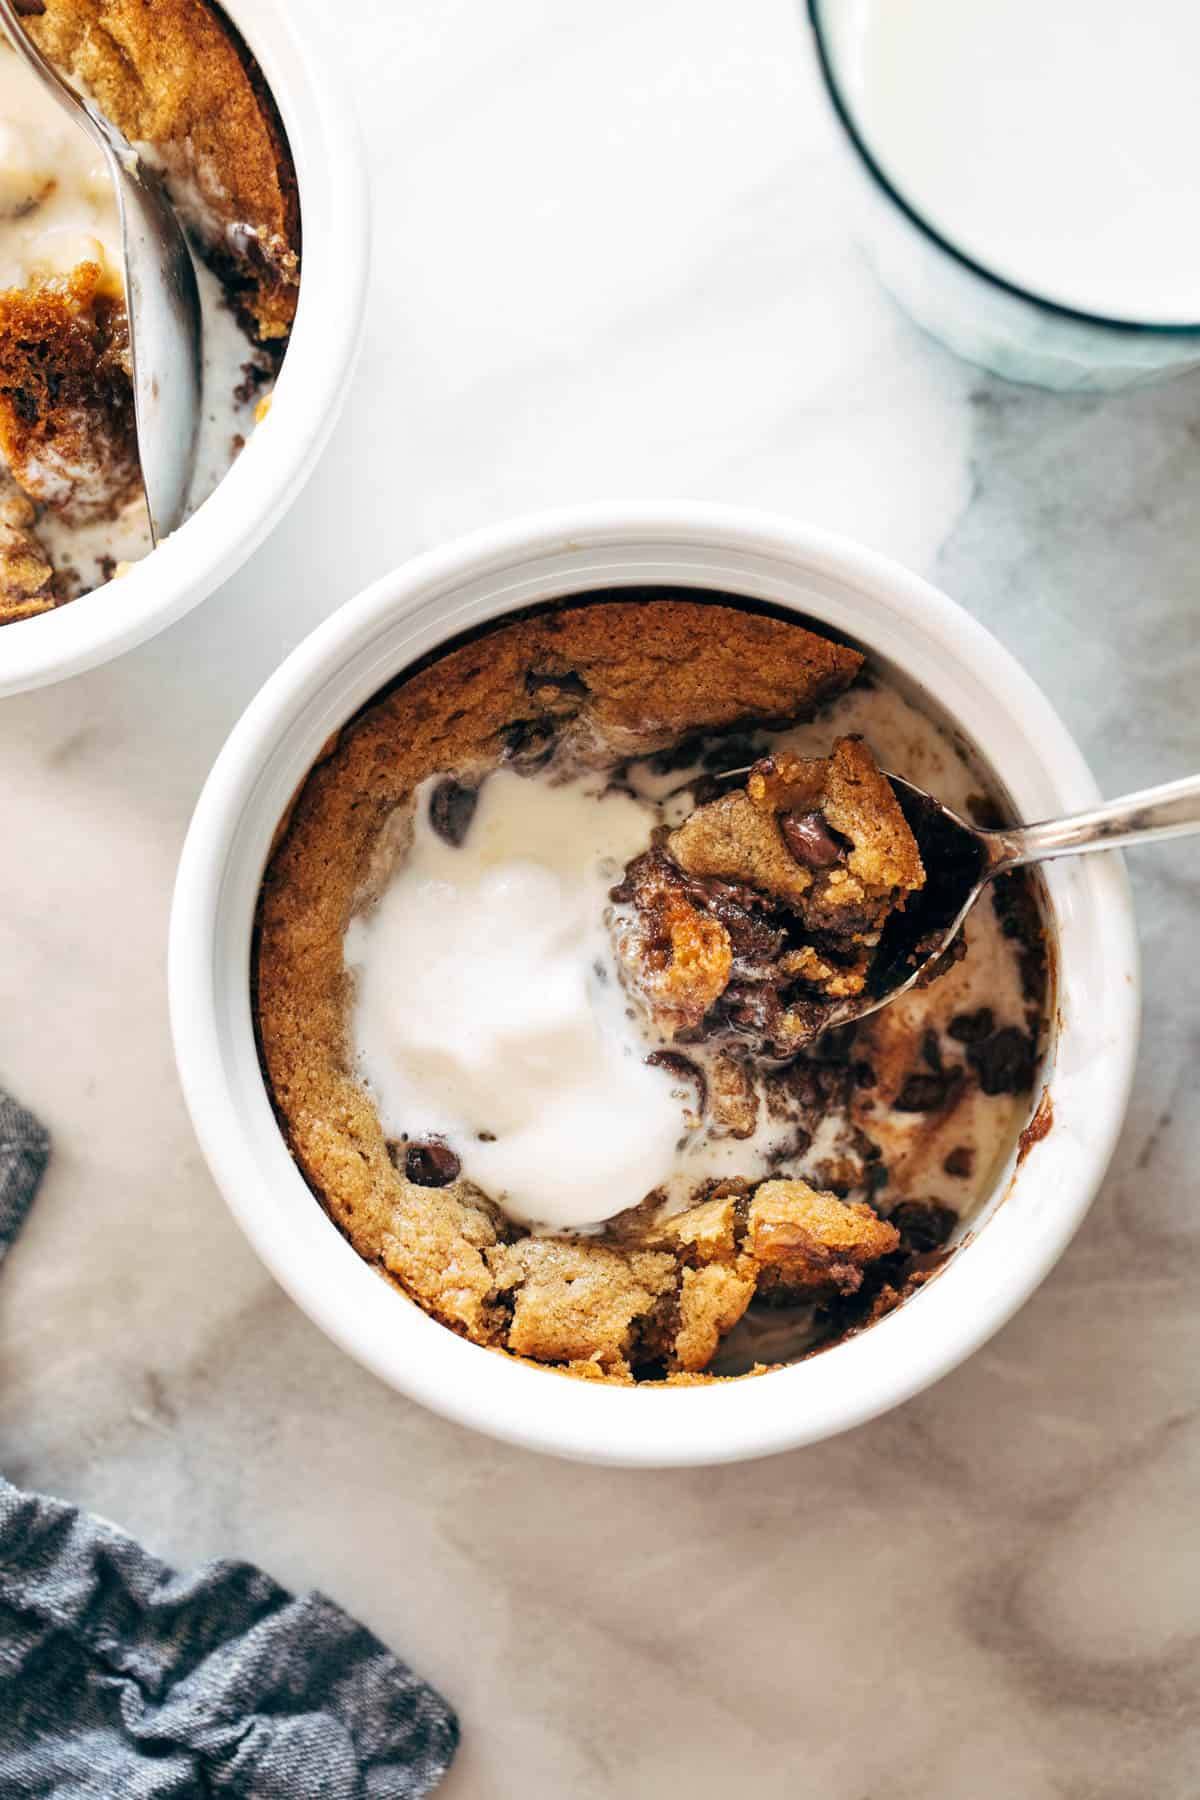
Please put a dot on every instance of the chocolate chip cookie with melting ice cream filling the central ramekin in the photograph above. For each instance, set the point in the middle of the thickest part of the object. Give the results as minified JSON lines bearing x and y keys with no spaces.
{"x":524,"y":939}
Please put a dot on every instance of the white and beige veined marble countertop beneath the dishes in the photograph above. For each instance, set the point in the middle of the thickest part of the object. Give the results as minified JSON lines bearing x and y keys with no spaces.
{"x":613,"y":260}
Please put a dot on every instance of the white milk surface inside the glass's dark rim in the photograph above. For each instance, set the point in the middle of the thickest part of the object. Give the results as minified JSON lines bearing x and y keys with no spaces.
{"x":1055,"y":141}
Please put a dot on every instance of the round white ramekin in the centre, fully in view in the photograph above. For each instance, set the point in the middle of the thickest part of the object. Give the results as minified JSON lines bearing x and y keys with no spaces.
{"x":1035,"y":1207}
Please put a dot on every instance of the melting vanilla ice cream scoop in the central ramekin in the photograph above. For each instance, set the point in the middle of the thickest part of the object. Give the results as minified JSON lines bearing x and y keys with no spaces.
{"x":488,"y":1009}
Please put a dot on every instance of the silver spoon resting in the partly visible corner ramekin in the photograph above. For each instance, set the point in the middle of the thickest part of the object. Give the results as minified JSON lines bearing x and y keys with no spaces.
{"x":163,"y":300}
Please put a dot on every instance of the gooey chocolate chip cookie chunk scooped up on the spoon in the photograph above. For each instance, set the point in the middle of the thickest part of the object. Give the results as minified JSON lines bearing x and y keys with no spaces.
{"x":785,"y":883}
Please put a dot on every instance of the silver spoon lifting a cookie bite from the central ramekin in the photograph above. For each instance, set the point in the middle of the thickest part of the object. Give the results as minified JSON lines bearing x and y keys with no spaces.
{"x":962,"y":859}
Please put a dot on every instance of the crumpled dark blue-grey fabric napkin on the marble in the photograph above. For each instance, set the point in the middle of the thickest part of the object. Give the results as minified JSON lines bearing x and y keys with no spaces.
{"x":121,"y":1678}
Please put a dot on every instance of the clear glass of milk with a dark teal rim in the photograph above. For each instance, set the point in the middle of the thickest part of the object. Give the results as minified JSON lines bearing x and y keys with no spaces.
{"x":1030,"y":175}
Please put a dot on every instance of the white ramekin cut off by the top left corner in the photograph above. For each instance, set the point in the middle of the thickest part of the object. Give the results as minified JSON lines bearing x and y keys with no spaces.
{"x":192,"y":564}
